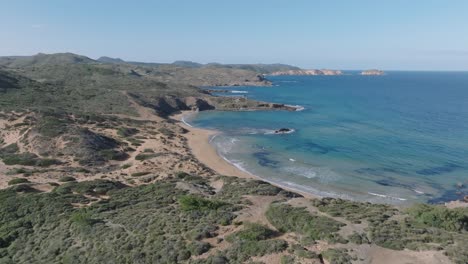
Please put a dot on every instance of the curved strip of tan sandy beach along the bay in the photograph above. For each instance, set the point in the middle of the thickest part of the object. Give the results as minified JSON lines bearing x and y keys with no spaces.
{"x":198,"y":140}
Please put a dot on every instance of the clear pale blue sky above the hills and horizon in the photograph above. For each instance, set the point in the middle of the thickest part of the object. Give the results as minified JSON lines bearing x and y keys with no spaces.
{"x":396,"y":34}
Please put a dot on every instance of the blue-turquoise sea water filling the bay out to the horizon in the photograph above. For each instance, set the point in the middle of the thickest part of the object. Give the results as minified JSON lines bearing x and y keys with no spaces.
{"x":399,"y":138}
